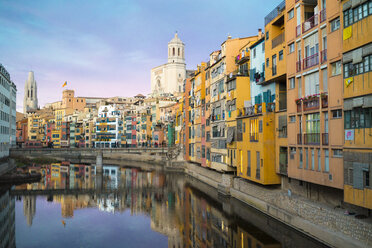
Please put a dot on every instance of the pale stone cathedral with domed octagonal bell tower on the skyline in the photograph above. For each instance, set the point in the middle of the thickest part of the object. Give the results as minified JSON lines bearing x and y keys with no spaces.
{"x":168,"y":78}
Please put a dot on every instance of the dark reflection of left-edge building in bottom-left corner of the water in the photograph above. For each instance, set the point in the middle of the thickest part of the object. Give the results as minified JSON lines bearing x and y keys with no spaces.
{"x":7,"y":219}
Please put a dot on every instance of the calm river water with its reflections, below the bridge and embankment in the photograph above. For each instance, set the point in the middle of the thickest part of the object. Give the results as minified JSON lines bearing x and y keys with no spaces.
{"x":132,"y":207}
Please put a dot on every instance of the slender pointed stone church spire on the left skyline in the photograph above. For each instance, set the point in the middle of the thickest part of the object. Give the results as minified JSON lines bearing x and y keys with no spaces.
{"x":30,"y":98}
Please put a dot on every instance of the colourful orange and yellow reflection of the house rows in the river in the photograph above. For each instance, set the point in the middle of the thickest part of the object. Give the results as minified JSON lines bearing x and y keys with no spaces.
{"x":187,"y":216}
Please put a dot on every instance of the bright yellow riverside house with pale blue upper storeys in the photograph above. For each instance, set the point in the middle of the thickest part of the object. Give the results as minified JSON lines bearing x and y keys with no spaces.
{"x":256,"y":124}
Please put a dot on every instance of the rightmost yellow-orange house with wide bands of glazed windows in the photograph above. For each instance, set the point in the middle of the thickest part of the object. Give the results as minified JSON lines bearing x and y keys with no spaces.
{"x":355,"y":22}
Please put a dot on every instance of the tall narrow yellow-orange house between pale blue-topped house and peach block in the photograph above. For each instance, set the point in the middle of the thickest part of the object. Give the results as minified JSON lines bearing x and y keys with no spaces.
{"x":275,"y":84}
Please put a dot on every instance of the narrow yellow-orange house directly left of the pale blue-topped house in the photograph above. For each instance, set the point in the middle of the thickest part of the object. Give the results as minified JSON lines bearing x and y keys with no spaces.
{"x":238,"y":91}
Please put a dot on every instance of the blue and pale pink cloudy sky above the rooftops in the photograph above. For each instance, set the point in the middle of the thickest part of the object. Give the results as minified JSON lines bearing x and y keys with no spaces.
{"x":106,"y":48}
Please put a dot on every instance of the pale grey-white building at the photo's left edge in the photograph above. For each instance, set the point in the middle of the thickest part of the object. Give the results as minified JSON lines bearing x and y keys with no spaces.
{"x":8,"y":92}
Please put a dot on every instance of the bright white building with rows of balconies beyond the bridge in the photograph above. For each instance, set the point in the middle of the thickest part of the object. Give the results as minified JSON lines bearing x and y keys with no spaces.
{"x":109,"y":127}
